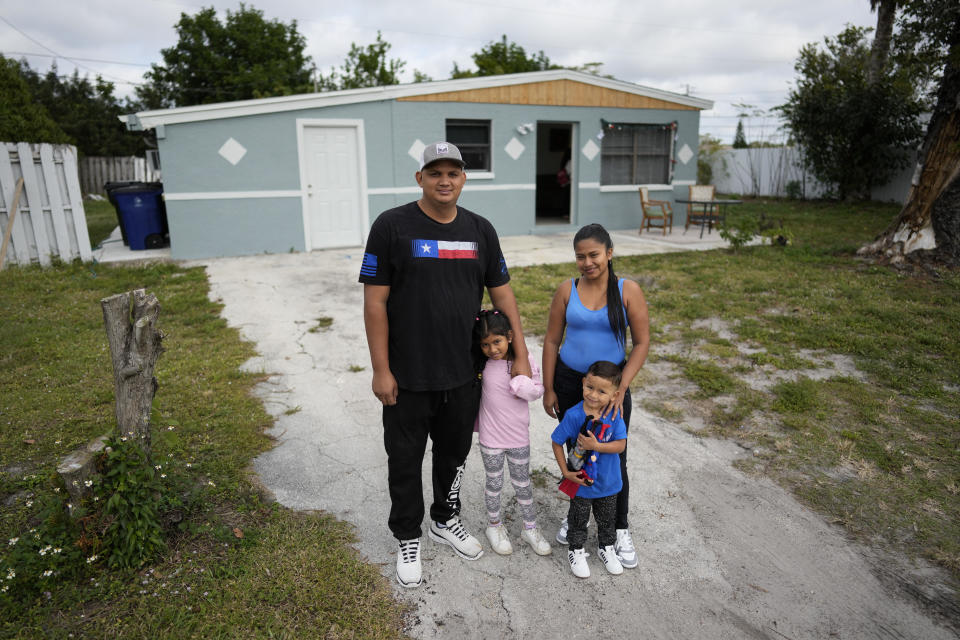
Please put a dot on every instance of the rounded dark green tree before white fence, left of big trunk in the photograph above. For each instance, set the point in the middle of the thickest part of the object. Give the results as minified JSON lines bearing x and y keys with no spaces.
{"x":853,"y":132}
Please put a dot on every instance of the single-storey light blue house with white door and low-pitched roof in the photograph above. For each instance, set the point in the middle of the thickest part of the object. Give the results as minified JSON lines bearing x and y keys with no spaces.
{"x":304,"y":172}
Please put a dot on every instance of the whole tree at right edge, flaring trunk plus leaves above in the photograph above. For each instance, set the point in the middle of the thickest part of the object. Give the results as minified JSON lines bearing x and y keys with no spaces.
{"x":927,"y":230}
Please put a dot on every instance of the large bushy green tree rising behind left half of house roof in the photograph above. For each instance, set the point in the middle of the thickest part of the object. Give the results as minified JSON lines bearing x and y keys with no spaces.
{"x":246,"y":56}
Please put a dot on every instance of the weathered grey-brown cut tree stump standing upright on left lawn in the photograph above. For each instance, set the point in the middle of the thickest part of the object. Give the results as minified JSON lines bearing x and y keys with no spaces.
{"x":135,"y":345}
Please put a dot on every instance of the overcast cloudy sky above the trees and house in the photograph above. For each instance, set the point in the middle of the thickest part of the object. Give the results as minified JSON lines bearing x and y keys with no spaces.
{"x":738,"y":51}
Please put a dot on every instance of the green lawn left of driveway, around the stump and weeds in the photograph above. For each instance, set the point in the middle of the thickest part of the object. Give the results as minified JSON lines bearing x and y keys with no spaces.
{"x":289,"y":575}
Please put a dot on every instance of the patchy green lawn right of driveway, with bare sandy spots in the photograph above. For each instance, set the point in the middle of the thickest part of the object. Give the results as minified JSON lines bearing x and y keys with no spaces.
{"x":879,"y":455}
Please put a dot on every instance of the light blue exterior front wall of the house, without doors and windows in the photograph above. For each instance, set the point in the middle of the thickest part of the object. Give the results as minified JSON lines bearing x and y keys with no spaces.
{"x":238,"y":226}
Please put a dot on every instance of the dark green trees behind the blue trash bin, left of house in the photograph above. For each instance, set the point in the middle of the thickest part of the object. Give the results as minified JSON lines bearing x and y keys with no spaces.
{"x":86,"y":111}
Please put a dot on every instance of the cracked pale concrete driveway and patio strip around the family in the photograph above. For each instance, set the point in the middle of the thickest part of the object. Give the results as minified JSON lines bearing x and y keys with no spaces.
{"x":721,"y":554}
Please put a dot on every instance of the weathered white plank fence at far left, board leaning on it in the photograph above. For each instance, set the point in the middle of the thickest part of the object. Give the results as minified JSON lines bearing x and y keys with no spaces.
{"x":49,"y":220}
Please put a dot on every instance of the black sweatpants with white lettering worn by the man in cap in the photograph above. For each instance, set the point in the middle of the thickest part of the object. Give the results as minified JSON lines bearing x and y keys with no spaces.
{"x":447,"y":417}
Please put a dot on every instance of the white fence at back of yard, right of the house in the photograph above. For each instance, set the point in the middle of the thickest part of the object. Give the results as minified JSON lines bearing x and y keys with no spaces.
{"x":768,"y":171}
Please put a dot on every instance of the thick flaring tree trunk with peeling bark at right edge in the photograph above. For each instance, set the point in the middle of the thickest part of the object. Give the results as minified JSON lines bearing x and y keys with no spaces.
{"x":927,"y":231}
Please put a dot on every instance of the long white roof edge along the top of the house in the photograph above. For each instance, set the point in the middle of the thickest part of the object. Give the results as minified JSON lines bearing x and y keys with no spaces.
{"x":151,"y":119}
